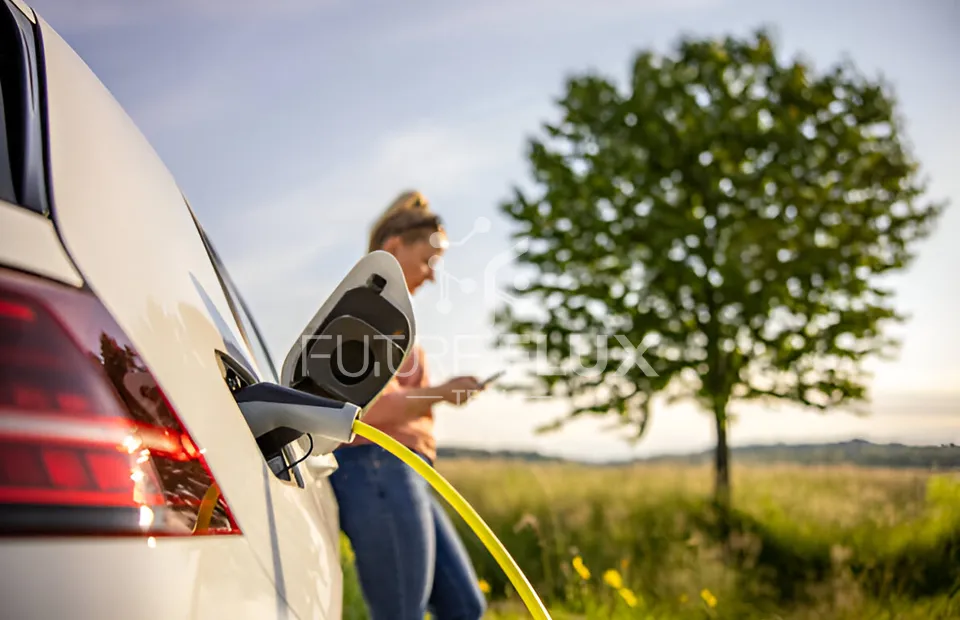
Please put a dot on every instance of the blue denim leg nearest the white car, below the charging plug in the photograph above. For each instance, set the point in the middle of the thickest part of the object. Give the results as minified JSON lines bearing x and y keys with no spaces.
{"x":385,"y":513}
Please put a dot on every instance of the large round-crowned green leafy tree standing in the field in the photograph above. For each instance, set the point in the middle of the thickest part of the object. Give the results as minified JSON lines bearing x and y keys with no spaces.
{"x":733,"y":212}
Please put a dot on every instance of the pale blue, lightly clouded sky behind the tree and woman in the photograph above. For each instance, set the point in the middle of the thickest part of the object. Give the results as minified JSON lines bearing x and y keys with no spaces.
{"x":291,"y":124}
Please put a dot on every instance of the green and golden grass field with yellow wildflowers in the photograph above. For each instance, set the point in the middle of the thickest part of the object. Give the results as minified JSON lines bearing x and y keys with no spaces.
{"x":643,"y":542}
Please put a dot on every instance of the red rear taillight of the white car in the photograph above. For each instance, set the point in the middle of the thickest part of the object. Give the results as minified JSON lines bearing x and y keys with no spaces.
{"x":89,"y":443}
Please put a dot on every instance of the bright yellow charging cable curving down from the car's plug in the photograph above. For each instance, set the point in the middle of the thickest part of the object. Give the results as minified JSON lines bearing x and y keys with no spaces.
{"x":465,"y":510}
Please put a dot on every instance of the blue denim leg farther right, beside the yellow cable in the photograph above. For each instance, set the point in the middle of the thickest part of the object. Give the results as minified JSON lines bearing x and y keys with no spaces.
{"x":456,"y":593}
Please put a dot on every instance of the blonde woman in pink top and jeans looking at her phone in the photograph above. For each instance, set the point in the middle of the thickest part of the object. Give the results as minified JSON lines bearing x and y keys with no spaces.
{"x":408,"y":556}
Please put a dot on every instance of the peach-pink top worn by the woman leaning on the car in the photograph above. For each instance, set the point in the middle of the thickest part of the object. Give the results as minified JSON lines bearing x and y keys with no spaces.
{"x":415,"y":433}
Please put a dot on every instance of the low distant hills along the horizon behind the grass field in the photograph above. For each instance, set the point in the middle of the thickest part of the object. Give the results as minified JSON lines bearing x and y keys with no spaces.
{"x":856,"y":452}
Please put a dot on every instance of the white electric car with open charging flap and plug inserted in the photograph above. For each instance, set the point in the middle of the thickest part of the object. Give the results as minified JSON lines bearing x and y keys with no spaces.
{"x":151,"y":460}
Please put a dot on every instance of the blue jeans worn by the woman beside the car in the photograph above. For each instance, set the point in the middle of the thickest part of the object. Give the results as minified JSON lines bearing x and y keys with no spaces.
{"x":409,"y":557}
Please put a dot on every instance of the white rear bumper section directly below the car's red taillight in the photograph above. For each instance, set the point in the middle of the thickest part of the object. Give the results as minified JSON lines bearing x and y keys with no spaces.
{"x":98,"y":578}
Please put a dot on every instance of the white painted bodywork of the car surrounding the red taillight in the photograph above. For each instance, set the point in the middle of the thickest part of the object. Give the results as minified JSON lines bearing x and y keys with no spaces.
{"x":127,"y":229}
